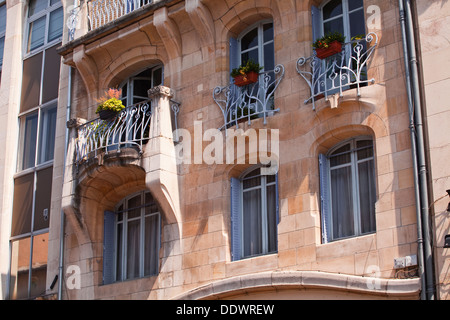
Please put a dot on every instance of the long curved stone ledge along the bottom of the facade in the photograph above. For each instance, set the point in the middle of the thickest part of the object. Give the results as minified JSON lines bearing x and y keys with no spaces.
{"x":288,"y":280}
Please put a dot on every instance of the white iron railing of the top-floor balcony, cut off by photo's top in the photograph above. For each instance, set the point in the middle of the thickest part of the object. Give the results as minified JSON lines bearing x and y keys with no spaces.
{"x":101,"y":12}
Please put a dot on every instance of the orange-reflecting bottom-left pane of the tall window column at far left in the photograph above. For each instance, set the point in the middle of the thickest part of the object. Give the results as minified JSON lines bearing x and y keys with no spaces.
{"x":20,"y":266}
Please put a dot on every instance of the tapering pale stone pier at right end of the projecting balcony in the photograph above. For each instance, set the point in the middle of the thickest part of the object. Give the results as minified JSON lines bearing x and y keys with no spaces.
{"x":159,"y":159}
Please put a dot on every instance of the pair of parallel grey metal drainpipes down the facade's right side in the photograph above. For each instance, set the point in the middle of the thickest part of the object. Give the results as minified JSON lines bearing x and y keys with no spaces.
{"x":418,"y":149}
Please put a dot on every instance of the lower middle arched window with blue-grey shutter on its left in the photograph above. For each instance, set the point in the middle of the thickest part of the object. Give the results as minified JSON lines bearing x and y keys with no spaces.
{"x":254,"y":214}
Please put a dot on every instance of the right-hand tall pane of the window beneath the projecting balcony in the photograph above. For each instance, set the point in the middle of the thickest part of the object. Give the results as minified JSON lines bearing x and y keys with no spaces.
{"x":151,"y":257}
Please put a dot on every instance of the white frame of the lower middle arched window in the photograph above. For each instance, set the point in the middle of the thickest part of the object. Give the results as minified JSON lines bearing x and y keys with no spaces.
{"x":264,"y":214}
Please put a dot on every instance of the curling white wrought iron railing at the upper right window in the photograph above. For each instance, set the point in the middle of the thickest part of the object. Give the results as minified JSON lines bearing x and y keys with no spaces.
{"x":340,"y":72}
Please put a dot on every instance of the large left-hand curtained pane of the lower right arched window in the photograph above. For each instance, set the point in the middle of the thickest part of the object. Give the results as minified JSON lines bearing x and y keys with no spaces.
{"x":342,"y":202}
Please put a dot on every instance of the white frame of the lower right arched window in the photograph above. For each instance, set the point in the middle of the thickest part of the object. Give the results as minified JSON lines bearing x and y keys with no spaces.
{"x":355,"y":185}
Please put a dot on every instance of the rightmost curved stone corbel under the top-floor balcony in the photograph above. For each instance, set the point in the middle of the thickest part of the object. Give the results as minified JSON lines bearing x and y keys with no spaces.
{"x":204,"y":25}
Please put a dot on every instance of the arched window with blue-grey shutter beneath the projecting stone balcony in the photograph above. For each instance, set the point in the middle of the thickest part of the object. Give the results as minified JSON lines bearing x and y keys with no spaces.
{"x":132,"y":239}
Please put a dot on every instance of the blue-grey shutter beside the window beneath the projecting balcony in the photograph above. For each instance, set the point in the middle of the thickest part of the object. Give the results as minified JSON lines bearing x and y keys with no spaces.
{"x":108,"y":247}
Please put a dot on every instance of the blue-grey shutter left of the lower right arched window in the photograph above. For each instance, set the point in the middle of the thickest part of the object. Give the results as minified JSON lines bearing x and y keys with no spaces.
{"x":324,"y":198}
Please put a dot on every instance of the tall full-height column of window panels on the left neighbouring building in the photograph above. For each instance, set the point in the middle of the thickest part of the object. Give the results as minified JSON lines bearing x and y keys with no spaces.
{"x":37,"y":130}
